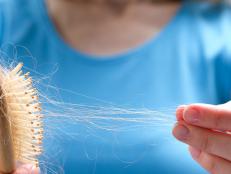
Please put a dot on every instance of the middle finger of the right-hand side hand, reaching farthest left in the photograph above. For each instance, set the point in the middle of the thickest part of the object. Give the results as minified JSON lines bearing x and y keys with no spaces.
{"x":212,"y":142}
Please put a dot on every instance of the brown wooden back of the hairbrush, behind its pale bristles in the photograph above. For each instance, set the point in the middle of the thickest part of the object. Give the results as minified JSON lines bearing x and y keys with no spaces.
{"x":7,"y":161}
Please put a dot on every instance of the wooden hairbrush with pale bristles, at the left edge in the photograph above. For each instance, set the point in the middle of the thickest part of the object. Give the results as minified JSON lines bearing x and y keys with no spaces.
{"x":21,"y":129}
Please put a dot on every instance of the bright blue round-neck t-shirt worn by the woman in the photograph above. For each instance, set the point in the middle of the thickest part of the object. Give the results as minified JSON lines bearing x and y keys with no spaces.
{"x":188,"y":61}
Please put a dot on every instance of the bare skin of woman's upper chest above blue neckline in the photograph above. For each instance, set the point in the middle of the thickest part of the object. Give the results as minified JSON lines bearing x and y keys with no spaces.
{"x":99,"y":29}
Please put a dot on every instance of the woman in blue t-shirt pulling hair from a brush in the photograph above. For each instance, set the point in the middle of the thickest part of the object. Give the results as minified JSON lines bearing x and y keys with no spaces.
{"x":136,"y":54}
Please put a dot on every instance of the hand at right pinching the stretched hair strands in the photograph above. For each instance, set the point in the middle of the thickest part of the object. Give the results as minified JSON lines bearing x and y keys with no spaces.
{"x":205,"y":128}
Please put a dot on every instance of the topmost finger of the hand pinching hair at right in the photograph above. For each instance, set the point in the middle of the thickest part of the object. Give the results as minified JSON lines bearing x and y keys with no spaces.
{"x":207,"y":116}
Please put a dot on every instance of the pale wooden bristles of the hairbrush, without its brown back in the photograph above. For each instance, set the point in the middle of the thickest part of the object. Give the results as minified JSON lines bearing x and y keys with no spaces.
{"x":24,"y":115}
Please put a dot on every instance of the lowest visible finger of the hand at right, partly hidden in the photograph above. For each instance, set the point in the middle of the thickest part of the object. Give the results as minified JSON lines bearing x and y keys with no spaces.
{"x":211,"y":163}
